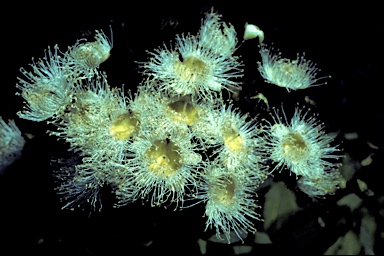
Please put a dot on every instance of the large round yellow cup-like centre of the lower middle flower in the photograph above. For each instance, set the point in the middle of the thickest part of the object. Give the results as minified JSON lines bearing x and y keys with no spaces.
{"x":164,"y":158}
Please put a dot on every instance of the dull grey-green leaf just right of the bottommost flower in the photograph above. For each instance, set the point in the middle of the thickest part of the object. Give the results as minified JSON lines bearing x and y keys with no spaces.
{"x":279,"y":202}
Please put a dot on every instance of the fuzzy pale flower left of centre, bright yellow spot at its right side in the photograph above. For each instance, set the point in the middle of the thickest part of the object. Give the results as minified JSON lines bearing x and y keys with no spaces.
{"x":98,"y":122}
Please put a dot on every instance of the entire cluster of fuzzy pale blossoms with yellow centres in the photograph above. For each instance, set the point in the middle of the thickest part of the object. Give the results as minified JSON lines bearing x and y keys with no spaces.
{"x":176,"y":139}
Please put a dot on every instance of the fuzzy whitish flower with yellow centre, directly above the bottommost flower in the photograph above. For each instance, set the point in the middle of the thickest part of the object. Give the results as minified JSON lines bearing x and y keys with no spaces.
{"x":233,"y":139}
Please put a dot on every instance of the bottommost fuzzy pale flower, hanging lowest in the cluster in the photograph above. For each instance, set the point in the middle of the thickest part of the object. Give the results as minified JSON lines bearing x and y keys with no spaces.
{"x":230,"y":201}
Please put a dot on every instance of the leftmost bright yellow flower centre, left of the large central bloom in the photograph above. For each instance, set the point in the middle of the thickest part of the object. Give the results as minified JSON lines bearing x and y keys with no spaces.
{"x":125,"y":127}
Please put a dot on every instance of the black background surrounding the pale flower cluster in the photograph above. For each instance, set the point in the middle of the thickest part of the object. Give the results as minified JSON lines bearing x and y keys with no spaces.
{"x":345,"y":41}
